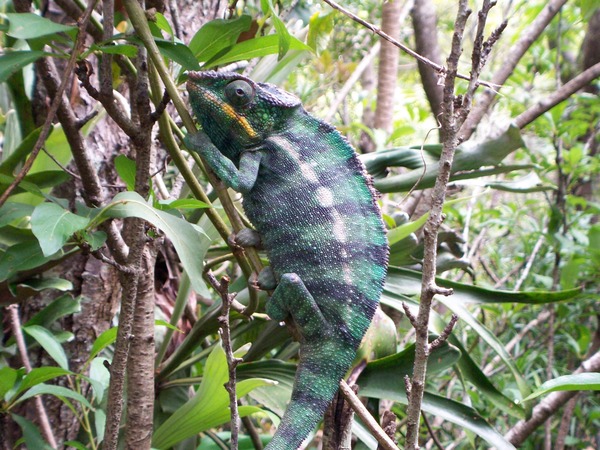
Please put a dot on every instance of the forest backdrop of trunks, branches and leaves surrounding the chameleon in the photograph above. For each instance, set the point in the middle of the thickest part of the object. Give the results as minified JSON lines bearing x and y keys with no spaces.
{"x":104,"y":221}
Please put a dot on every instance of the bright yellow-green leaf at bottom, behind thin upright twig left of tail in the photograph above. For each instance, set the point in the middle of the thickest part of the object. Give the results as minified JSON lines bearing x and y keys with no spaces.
{"x":208,"y":408}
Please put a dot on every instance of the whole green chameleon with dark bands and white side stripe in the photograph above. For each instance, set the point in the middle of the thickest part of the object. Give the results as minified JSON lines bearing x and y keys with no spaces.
{"x":309,"y":198}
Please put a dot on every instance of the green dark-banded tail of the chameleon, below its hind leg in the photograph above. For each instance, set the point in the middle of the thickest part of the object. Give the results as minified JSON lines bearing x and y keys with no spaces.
{"x":320,"y":370}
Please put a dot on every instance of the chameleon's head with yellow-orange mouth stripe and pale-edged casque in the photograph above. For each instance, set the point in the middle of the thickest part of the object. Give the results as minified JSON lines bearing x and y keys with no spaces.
{"x":234,"y":111}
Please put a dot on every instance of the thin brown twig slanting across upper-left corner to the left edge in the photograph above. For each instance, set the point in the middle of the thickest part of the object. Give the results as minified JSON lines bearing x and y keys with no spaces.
{"x":81,"y":35}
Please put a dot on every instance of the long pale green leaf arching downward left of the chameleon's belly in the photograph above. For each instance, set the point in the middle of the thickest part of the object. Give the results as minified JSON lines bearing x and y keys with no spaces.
{"x":190,"y":242}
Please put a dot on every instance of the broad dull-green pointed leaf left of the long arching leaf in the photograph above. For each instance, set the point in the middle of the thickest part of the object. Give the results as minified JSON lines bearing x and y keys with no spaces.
{"x":53,"y":226}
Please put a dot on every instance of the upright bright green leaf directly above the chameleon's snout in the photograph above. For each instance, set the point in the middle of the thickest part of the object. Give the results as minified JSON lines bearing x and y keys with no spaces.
{"x":218,"y":35}
